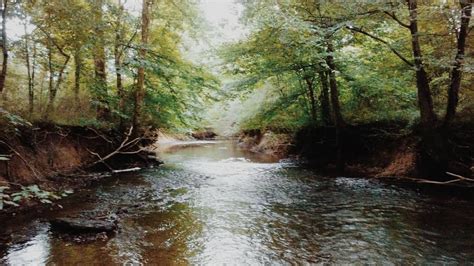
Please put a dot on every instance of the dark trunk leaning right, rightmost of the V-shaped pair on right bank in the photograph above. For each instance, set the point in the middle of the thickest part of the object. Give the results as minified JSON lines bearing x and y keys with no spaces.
{"x":456,"y":73}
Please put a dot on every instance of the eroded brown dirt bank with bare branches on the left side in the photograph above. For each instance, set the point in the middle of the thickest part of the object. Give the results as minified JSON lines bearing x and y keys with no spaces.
{"x":59,"y":158}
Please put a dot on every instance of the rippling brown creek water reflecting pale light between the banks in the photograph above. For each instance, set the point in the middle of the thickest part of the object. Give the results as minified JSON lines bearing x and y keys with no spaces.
{"x":215,"y":204}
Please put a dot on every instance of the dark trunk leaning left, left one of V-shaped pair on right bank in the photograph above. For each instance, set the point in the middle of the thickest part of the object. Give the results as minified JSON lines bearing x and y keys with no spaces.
{"x":425,"y":101}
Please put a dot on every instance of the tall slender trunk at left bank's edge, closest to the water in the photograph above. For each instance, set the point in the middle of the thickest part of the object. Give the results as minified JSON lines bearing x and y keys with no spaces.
{"x":140,"y":89}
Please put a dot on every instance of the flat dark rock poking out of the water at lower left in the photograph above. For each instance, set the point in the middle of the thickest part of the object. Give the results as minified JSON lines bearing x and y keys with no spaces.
{"x":83,"y":226}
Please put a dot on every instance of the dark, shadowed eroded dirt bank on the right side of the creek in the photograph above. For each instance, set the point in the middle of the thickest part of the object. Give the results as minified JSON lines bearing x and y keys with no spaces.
{"x":375,"y":150}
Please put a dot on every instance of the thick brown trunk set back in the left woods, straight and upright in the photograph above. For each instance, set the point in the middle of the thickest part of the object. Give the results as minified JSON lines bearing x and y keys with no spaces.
{"x":99,"y":63}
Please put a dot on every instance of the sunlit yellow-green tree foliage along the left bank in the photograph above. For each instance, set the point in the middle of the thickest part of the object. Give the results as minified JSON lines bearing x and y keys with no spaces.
{"x":65,"y":35}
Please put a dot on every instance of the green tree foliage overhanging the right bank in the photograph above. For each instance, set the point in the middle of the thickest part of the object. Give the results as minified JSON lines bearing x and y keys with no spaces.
{"x":288,"y":44}
